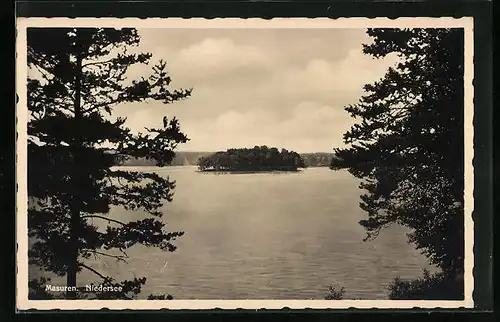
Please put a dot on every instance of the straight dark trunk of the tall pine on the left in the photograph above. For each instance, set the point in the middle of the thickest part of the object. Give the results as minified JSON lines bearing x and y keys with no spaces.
{"x":75,"y":209}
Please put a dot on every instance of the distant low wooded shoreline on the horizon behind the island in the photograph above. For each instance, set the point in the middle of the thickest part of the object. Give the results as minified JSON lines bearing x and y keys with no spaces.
{"x":191,"y":158}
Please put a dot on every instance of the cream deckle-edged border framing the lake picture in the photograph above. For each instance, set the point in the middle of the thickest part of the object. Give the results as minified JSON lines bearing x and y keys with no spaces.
{"x":21,"y":155}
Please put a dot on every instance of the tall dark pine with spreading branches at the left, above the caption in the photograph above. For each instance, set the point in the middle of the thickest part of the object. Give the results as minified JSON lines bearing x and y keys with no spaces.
{"x":77,"y":77}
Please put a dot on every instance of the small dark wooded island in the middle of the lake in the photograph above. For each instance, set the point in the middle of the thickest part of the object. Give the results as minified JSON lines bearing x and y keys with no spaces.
{"x":257,"y":159}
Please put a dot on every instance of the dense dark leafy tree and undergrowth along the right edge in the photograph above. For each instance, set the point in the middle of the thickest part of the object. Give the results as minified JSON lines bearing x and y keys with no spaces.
{"x":408,"y":150}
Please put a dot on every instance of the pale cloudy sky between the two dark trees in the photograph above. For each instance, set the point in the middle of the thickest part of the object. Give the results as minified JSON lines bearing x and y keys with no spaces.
{"x":284,"y":88}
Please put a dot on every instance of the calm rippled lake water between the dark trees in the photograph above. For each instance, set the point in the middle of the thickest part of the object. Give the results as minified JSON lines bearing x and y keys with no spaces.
{"x":266,"y":236}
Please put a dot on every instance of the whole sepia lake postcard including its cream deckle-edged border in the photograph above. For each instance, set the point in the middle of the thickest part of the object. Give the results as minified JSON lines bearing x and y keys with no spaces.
{"x":309,"y":162}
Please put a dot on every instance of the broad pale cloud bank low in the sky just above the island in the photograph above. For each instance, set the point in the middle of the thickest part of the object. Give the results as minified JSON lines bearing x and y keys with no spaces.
{"x":311,"y":127}
